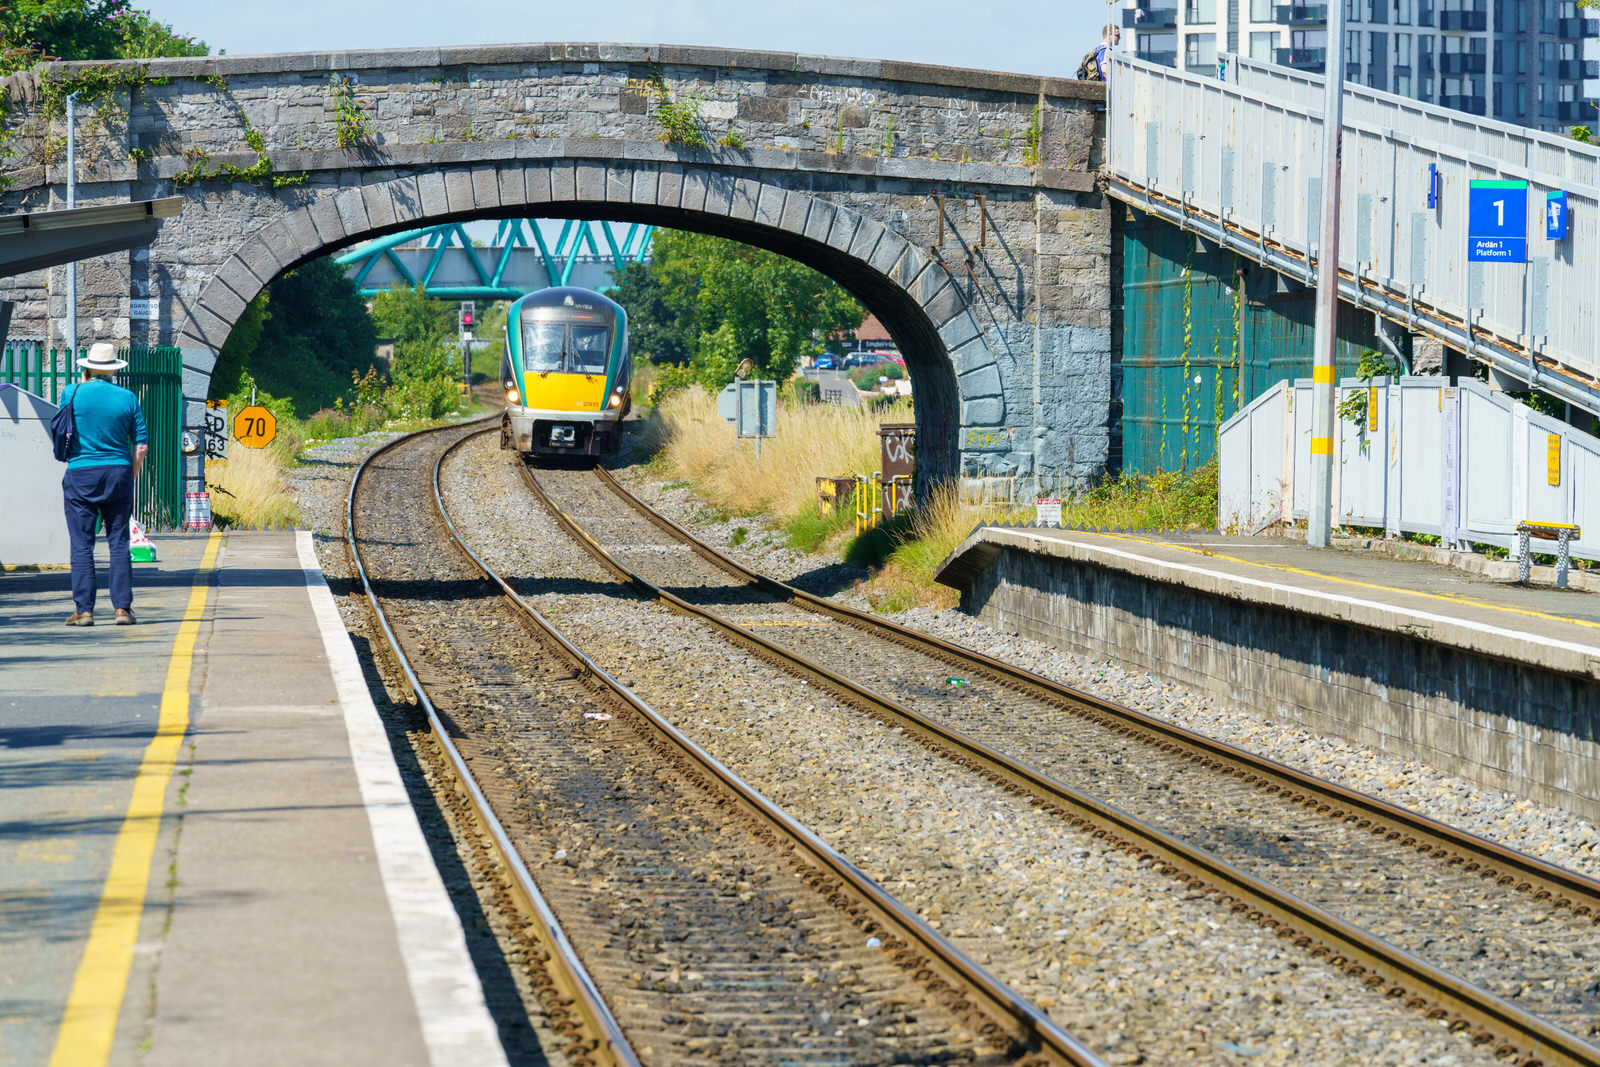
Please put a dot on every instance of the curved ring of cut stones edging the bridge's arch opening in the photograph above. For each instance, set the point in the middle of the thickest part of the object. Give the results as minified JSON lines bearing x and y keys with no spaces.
{"x":954,"y":372}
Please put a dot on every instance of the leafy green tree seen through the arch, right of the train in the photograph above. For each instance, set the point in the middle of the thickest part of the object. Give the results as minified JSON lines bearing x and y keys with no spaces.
{"x":732,"y":302}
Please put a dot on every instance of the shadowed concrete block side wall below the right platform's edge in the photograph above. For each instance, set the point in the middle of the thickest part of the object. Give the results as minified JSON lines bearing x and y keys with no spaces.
{"x":1530,"y":730}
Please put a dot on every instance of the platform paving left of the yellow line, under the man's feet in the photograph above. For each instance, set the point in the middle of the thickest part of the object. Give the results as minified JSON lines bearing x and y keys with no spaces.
{"x":78,"y":709}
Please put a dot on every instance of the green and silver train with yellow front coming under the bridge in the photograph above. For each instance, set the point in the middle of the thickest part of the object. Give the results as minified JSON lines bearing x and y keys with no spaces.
{"x":567,"y":374}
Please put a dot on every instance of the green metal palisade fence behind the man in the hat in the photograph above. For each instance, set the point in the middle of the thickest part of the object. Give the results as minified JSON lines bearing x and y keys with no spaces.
{"x":158,"y":378}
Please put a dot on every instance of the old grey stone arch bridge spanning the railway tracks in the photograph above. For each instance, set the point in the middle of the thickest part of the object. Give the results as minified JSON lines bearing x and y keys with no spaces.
{"x":959,"y":206}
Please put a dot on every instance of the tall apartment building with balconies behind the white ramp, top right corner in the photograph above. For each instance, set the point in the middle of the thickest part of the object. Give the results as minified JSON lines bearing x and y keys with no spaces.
{"x":1526,"y":62}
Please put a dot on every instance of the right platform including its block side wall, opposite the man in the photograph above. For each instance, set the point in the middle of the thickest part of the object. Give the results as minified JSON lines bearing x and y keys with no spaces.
{"x":1476,"y":677}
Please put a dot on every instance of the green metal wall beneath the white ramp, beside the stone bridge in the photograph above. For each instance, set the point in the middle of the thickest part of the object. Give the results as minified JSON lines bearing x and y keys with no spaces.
{"x":1204,"y":334}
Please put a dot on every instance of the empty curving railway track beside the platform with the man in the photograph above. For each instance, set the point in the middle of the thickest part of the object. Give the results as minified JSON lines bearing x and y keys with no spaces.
{"x":682,"y":917}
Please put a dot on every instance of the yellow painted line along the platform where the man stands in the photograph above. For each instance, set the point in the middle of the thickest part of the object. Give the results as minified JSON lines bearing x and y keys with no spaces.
{"x":95,"y":1002}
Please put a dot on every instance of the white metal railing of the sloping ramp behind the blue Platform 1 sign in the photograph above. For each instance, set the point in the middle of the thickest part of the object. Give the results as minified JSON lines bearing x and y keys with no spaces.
{"x":1236,"y":161}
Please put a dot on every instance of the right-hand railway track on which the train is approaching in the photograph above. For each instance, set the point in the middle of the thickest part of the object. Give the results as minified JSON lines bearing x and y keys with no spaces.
{"x":1502,"y":945}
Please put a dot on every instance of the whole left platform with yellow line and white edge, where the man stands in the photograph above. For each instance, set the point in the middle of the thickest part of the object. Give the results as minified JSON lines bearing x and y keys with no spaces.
{"x":207,"y":852}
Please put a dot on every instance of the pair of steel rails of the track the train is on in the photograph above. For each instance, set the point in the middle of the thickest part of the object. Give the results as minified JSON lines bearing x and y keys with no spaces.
{"x":1358,"y":951}
